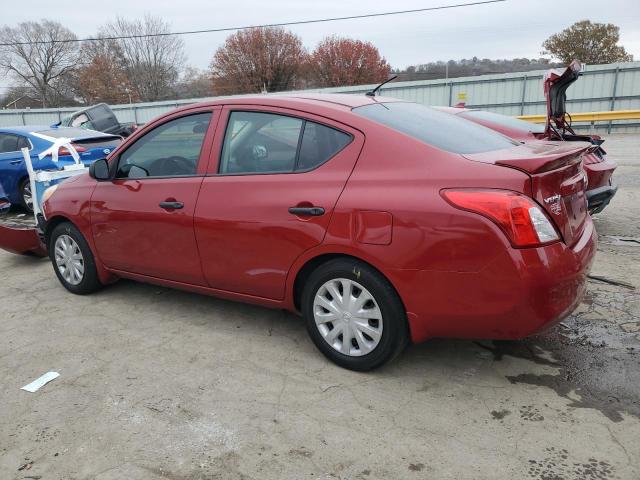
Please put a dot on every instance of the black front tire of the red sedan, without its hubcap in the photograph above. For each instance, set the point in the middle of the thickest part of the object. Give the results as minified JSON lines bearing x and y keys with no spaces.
{"x":90,"y":281}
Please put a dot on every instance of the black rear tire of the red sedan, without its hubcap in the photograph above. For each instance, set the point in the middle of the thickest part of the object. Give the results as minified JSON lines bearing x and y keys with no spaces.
{"x":395,"y":334}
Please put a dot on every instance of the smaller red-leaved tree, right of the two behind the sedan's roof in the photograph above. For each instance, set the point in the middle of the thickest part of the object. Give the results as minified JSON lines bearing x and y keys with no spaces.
{"x":340,"y":62}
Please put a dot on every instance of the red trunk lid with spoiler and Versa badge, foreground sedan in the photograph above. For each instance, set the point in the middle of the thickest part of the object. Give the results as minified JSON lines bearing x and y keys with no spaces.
{"x":558,"y":181}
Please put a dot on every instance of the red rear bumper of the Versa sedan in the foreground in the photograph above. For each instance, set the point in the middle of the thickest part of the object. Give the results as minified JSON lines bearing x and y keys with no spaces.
{"x":520,"y":293}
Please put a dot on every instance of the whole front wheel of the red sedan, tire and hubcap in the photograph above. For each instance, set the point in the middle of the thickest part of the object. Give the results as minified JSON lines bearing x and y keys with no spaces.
{"x":72,"y":260}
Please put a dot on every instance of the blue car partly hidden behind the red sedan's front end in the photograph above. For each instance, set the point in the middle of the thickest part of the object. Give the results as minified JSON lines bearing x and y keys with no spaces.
{"x":14,"y":179}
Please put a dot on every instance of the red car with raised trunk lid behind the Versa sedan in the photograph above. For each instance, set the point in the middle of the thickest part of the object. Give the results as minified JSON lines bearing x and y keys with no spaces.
{"x":597,"y":165}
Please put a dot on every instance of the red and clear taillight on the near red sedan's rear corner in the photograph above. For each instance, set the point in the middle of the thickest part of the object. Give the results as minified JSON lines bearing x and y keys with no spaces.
{"x":518,"y":216}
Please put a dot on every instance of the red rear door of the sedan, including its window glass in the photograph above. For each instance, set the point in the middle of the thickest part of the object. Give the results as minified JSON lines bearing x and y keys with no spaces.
{"x":269,"y":196}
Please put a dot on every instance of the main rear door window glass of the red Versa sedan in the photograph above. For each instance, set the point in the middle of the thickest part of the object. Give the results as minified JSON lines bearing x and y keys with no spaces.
{"x":258,"y":142}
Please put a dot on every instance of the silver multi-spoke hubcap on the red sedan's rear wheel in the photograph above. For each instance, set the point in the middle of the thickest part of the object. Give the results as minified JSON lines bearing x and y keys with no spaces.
{"x":348,"y":317}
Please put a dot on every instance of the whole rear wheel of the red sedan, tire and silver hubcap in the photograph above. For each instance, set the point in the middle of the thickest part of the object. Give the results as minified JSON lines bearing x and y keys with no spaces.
{"x":353,"y":314}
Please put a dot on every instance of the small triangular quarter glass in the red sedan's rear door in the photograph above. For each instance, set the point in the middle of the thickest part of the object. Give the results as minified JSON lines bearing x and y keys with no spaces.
{"x":319,"y":144}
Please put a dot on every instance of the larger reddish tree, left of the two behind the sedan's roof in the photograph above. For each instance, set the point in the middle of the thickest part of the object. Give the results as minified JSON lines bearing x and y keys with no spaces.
{"x":250,"y":60}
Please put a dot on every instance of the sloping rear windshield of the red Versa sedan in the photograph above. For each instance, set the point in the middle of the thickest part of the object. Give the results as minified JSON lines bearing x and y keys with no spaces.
{"x":439,"y":129}
